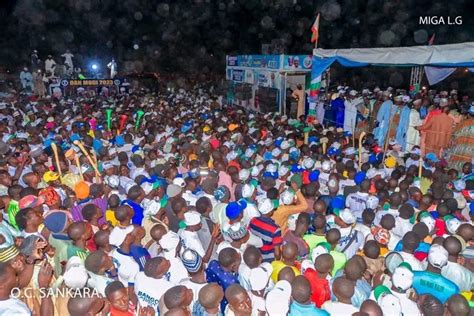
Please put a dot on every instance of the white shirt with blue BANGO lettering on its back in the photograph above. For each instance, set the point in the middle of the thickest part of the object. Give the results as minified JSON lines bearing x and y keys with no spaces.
{"x":150,"y":290}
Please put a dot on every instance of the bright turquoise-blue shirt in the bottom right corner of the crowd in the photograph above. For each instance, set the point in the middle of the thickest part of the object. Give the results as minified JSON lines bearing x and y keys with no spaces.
{"x":425,"y":282}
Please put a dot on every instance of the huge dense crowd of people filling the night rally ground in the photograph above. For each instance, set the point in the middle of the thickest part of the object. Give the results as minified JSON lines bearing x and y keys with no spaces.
{"x":175,"y":204}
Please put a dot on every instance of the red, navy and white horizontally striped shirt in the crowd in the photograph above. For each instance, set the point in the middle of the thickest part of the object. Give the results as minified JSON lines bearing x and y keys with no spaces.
{"x":266,"y":229}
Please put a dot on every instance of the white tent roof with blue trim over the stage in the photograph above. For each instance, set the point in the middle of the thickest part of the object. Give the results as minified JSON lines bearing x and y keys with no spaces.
{"x":451,"y":55}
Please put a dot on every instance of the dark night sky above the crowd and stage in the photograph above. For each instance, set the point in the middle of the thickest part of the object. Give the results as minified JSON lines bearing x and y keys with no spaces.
{"x":195,"y":35}
